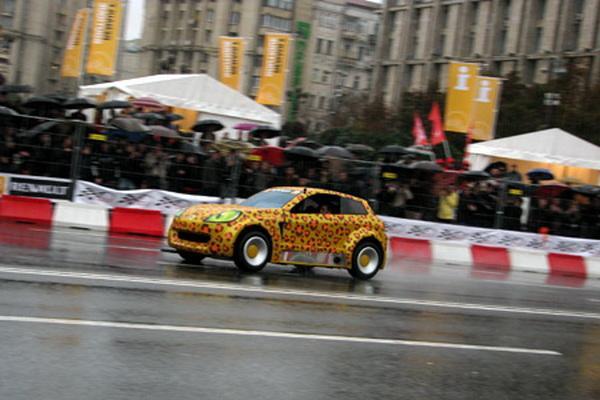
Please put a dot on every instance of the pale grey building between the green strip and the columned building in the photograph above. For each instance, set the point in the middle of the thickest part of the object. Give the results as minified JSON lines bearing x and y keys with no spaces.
{"x":340,"y":57}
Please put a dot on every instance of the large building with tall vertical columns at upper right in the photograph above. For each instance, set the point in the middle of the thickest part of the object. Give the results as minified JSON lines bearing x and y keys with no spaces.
{"x":535,"y":38}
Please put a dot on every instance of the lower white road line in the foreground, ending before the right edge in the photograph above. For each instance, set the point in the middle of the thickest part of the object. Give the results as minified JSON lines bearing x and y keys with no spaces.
{"x":271,"y":334}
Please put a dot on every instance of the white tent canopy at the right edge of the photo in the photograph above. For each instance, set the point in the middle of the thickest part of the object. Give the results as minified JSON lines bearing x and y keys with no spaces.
{"x":552,"y":146}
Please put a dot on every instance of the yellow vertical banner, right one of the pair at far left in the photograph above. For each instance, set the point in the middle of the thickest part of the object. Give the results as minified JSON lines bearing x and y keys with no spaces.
{"x":104,"y":43}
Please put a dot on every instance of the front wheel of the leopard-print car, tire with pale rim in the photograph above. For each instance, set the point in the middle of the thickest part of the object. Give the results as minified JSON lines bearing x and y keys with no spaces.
{"x":252,"y":251}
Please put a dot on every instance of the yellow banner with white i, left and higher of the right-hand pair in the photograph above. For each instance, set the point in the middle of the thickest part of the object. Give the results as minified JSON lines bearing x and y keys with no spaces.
{"x":459,"y":96}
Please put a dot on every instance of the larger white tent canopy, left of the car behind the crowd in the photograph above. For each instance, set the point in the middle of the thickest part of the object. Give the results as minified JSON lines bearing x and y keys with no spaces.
{"x":198,"y":92}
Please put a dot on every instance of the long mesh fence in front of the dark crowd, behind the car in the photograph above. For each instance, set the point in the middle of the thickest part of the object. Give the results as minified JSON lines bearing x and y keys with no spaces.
{"x":75,"y":150}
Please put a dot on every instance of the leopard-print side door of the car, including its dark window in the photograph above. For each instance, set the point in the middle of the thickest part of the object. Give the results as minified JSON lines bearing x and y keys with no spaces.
{"x":309,"y":230}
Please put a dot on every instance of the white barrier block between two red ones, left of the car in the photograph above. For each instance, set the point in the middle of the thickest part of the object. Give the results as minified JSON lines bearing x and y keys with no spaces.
{"x":77,"y":215}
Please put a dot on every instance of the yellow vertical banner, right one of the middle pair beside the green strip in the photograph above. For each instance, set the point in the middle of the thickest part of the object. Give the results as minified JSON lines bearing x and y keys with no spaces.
{"x":272,"y":79}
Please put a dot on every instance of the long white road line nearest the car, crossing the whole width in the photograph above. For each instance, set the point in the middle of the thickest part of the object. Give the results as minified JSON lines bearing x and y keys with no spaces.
{"x":298,"y":293}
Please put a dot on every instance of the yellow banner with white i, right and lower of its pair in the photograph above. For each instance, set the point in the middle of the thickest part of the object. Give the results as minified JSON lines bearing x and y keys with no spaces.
{"x":485,"y":107}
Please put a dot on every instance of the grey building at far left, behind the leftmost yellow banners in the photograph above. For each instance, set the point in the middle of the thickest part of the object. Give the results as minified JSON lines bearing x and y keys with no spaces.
{"x":32,"y":40}
